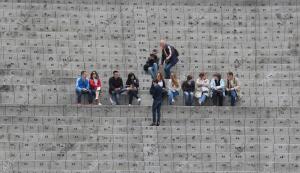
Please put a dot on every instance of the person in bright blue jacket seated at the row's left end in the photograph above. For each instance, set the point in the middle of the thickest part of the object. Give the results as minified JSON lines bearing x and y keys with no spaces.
{"x":83,"y":87}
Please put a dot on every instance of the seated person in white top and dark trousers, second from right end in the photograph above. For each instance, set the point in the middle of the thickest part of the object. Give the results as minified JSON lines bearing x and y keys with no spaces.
{"x":217,"y":86}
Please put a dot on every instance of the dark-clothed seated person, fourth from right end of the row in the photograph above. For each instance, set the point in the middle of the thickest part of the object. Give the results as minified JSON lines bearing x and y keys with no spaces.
{"x":188,"y":88}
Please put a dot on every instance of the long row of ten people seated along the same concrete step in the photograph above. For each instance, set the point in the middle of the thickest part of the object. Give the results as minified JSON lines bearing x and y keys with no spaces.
{"x":201,"y":89}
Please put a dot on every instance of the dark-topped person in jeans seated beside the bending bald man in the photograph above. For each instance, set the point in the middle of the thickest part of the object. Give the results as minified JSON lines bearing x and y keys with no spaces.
{"x":151,"y":65}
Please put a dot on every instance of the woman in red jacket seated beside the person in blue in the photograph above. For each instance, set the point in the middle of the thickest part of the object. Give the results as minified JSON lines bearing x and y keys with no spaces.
{"x":95,"y":85}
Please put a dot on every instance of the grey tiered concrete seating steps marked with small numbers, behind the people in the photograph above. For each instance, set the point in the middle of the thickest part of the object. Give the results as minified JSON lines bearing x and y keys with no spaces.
{"x":45,"y":45}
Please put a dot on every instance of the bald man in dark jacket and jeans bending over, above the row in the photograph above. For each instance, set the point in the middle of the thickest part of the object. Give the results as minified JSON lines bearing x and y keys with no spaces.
{"x":169,"y":57}
